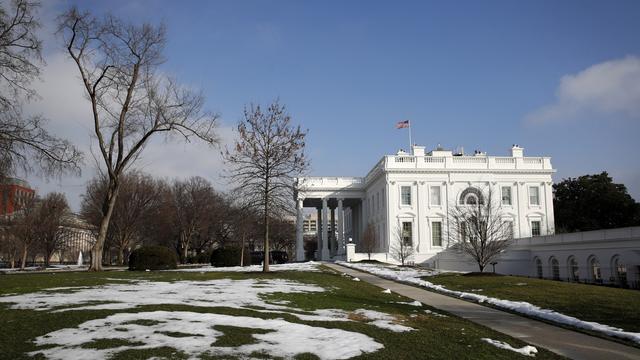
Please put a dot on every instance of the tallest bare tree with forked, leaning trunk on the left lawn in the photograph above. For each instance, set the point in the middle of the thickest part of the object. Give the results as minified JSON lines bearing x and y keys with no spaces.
{"x":131,"y":101}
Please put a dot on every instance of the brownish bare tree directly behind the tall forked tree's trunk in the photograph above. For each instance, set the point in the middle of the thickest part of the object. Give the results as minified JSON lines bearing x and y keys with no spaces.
{"x":139,"y":194}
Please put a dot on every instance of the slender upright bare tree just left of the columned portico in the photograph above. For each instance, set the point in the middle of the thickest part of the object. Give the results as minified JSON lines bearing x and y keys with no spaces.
{"x":267,"y":155}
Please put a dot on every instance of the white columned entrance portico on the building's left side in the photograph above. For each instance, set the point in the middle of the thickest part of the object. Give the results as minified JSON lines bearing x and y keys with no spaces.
{"x":338,"y":202}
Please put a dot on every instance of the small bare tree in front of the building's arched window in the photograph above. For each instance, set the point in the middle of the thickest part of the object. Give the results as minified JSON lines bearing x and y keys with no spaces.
{"x":477,"y":227}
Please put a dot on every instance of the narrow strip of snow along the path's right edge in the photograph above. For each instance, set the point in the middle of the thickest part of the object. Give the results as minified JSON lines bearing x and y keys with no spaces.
{"x":412,"y":276}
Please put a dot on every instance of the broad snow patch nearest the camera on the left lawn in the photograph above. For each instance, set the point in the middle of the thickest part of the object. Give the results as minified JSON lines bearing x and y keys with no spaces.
{"x":197,"y":337}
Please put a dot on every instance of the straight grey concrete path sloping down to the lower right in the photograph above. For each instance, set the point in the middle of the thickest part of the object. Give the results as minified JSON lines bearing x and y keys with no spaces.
{"x":565,"y":342}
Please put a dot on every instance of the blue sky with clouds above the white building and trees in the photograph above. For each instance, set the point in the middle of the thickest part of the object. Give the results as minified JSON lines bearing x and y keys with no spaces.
{"x":560,"y":78}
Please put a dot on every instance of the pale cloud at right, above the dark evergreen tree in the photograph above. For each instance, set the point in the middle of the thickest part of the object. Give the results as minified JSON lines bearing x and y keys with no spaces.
{"x":611,"y":87}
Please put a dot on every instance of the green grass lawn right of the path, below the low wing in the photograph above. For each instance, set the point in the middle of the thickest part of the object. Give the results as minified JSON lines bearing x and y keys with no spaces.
{"x":605,"y":305}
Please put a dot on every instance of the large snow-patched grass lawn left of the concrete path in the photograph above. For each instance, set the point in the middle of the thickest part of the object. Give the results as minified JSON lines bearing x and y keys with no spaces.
{"x":54,"y":311}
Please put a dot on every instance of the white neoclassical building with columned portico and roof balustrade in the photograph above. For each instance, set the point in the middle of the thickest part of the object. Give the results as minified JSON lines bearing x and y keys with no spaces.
{"x":413,"y":191}
